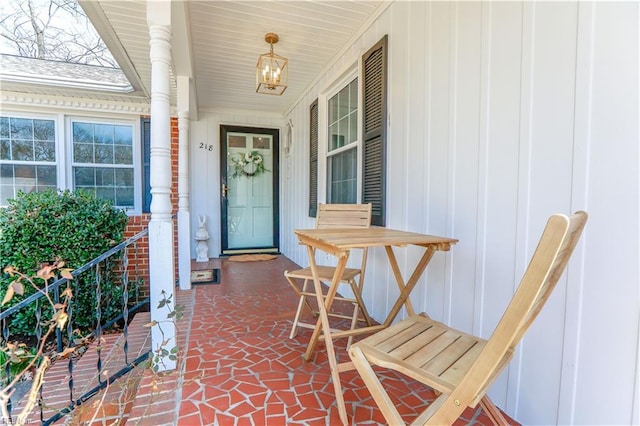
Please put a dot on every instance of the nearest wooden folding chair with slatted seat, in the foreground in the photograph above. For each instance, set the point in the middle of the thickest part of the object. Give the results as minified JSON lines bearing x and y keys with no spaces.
{"x":459,"y":366}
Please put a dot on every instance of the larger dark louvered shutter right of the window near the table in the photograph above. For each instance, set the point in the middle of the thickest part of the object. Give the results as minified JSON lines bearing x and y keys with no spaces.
{"x":374,"y":89}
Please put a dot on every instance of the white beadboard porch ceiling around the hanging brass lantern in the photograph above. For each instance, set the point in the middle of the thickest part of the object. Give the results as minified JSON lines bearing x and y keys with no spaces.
{"x":226,"y":39}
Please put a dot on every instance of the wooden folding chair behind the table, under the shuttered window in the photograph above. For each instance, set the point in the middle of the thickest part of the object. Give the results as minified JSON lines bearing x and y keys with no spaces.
{"x":334,"y":216}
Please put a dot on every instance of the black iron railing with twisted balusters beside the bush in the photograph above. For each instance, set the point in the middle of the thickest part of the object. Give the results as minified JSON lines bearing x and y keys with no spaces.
{"x":120,"y":263}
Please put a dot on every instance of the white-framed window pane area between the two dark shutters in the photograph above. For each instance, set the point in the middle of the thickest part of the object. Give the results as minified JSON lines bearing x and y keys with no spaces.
{"x":342,"y":145}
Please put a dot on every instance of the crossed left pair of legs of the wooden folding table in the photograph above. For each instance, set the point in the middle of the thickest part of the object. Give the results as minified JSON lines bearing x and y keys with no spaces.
{"x":322,"y":326}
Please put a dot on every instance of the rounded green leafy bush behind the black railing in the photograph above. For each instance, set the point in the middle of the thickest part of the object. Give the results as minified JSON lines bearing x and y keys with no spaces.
{"x":75,"y":227}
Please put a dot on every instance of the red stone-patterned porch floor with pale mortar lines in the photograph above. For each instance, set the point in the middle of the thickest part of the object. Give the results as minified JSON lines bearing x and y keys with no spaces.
{"x":241,"y":368}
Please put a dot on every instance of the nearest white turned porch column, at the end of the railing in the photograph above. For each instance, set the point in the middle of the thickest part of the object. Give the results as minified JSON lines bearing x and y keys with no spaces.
{"x":161,"y":261}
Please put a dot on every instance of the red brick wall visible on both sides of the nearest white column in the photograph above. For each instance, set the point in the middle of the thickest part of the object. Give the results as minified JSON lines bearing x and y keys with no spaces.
{"x":139,"y":265}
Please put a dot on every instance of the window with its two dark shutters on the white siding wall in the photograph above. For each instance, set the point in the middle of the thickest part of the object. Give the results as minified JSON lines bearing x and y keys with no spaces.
{"x":344,"y":151}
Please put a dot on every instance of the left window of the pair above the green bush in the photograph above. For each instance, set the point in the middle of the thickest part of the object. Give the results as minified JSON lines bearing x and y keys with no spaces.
{"x":27,"y":156}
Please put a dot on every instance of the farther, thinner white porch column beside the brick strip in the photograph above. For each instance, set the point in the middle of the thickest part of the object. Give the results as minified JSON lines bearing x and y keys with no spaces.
{"x":184,"y":215}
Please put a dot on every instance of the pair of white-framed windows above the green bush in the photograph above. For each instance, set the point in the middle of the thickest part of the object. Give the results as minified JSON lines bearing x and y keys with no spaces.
{"x":99,"y":156}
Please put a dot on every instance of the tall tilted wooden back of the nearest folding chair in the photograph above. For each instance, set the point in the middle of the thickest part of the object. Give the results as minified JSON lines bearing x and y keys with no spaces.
{"x":549,"y":260}
